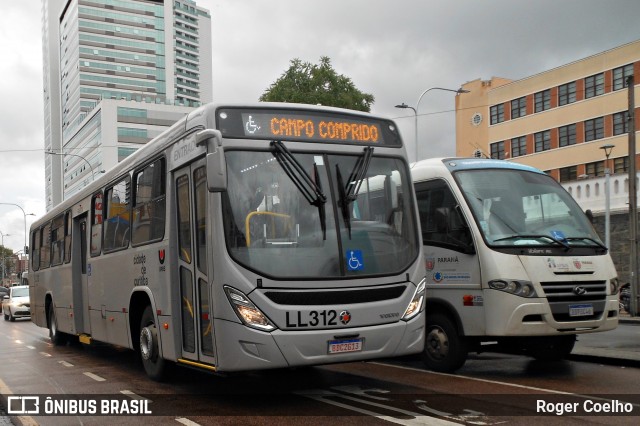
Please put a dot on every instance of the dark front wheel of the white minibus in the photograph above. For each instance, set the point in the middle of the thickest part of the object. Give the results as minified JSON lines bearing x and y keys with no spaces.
{"x":444,"y":349}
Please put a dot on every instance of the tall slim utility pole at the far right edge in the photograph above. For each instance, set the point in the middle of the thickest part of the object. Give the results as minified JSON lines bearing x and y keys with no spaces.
{"x":633,"y":204}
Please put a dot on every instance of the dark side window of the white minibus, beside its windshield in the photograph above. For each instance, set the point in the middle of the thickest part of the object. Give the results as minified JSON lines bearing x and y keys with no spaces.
{"x":440,"y":218}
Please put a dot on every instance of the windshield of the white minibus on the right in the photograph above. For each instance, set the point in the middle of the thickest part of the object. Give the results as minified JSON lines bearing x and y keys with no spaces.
{"x":522,"y":208}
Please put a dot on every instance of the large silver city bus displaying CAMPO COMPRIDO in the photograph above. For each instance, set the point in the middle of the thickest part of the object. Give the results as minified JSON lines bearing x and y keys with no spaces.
{"x":244,"y":237}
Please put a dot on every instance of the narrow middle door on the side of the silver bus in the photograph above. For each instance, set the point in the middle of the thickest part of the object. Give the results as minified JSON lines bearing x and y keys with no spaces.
{"x":79,"y":244}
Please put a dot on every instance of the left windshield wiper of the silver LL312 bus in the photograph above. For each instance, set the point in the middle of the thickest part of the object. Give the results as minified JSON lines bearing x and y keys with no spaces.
{"x":311,"y":189}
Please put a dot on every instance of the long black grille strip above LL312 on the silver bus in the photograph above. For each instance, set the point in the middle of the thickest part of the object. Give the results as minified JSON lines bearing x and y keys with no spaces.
{"x":335,"y":297}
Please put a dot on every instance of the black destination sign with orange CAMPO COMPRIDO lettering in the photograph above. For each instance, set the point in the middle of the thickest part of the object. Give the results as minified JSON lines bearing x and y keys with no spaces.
{"x":312,"y":126}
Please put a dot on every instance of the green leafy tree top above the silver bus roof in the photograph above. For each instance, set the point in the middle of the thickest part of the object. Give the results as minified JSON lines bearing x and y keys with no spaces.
{"x":308,"y":83}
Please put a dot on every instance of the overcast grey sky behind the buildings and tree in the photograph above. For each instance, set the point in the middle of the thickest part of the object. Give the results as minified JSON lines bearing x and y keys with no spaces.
{"x":393,"y":49}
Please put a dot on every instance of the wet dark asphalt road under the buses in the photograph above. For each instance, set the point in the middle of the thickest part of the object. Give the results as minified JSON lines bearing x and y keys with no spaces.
{"x":490,"y":389}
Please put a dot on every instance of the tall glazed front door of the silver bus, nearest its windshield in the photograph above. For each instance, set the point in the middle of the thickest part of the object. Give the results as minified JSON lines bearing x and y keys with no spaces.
{"x":195,"y":292}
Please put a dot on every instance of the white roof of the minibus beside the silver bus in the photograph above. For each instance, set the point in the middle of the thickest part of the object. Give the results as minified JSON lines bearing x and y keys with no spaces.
{"x":428,"y":168}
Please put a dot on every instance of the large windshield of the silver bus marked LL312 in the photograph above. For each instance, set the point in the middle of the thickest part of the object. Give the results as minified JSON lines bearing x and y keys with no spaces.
{"x":341,"y":228}
